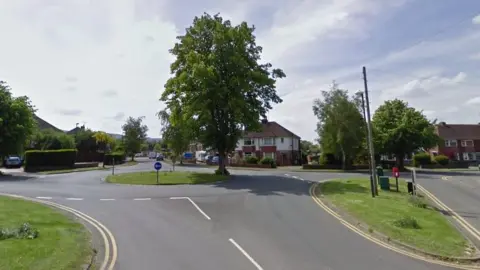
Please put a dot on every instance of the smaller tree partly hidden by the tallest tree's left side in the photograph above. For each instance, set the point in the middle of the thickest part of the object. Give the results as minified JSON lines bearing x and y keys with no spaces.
{"x":177,"y":136}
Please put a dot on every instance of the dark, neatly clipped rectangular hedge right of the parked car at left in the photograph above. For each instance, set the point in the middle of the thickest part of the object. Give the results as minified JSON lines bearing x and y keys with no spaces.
{"x":64,"y":158}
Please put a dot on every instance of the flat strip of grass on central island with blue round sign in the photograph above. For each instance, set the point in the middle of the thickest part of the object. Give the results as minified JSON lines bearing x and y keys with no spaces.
{"x":165,"y":178}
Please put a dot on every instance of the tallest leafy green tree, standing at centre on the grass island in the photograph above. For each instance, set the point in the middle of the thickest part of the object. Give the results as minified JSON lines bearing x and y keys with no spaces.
{"x":218,"y":85}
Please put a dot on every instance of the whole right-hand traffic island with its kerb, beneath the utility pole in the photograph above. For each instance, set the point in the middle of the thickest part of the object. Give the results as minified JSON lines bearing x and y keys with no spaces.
{"x":398,"y":218}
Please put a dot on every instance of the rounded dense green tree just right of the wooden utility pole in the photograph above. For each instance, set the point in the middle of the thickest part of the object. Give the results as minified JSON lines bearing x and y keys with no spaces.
{"x":401,"y":130}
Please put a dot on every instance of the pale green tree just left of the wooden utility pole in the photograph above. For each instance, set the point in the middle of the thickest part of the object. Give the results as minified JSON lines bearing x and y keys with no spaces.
{"x":340,"y":126}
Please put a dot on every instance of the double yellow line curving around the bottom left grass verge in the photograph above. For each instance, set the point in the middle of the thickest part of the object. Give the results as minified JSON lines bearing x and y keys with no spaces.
{"x":109,"y":242}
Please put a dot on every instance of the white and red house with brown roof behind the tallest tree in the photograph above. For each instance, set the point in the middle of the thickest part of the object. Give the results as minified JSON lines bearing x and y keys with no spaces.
{"x":274,"y":141}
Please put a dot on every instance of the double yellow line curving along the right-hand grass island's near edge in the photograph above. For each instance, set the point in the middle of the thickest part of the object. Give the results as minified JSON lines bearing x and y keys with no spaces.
{"x":379,"y":242}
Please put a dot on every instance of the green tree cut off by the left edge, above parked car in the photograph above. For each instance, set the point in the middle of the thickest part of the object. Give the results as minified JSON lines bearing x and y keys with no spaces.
{"x":17,"y":123}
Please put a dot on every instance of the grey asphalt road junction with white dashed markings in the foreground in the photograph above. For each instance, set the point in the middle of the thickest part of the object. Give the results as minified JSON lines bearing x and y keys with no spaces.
{"x":255,"y":221}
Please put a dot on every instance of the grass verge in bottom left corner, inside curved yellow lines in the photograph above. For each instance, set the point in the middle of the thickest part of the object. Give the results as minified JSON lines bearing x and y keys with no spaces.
{"x":61,"y":244}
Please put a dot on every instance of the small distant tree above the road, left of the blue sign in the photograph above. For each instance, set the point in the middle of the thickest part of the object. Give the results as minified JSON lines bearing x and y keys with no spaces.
{"x":135,"y":134}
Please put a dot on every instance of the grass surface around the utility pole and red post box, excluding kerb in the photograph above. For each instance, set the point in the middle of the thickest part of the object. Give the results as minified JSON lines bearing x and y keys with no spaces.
{"x":394,"y":215}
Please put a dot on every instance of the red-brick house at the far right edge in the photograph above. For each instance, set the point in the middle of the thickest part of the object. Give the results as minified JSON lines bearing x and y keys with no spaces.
{"x":459,"y":142}
